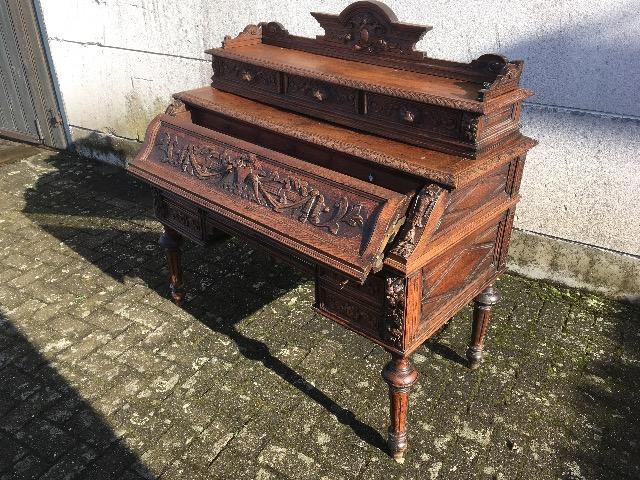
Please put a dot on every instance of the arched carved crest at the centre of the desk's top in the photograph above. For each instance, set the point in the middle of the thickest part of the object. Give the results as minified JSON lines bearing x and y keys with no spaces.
{"x":370,"y":27}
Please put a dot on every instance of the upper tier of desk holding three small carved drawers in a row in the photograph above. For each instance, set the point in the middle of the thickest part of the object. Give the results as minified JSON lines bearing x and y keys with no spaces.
{"x":436,"y":127}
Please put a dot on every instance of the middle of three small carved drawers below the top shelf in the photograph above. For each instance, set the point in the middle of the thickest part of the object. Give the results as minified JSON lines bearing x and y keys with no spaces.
{"x":322,"y":95}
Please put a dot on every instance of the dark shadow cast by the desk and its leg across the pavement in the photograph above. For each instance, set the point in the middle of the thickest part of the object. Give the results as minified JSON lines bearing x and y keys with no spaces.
{"x":105,"y":215}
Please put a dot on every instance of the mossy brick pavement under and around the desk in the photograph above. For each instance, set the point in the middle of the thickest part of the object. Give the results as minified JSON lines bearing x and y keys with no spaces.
{"x":101,"y":377}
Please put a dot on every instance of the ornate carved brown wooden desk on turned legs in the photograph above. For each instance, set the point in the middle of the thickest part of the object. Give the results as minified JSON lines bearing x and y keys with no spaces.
{"x":389,"y":176}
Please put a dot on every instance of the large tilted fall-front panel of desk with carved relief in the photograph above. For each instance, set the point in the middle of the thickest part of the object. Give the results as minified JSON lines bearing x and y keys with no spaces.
{"x":282,"y":202}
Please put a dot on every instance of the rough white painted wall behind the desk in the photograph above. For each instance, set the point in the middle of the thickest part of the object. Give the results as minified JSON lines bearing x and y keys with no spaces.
{"x":118,"y":61}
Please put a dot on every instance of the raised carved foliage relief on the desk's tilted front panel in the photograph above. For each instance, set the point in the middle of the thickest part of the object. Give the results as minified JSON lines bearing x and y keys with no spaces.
{"x":242,"y":174}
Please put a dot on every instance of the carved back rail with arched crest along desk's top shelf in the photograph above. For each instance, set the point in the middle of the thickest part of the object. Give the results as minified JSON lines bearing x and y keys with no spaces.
{"x":369,"y":31}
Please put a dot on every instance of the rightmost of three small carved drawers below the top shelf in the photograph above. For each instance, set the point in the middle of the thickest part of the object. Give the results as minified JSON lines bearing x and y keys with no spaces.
{"x":420,"y":118}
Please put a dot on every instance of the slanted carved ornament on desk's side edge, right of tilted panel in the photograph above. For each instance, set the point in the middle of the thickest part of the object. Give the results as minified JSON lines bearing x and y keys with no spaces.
{"x":421,"y":210}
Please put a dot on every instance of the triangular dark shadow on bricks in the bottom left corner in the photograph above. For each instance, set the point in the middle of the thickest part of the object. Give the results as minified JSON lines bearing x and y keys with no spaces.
{"x":48,"y":429}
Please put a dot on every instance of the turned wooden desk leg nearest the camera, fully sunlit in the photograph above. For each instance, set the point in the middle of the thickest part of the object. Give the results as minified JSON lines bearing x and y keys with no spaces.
{"x":400,"y":375}
